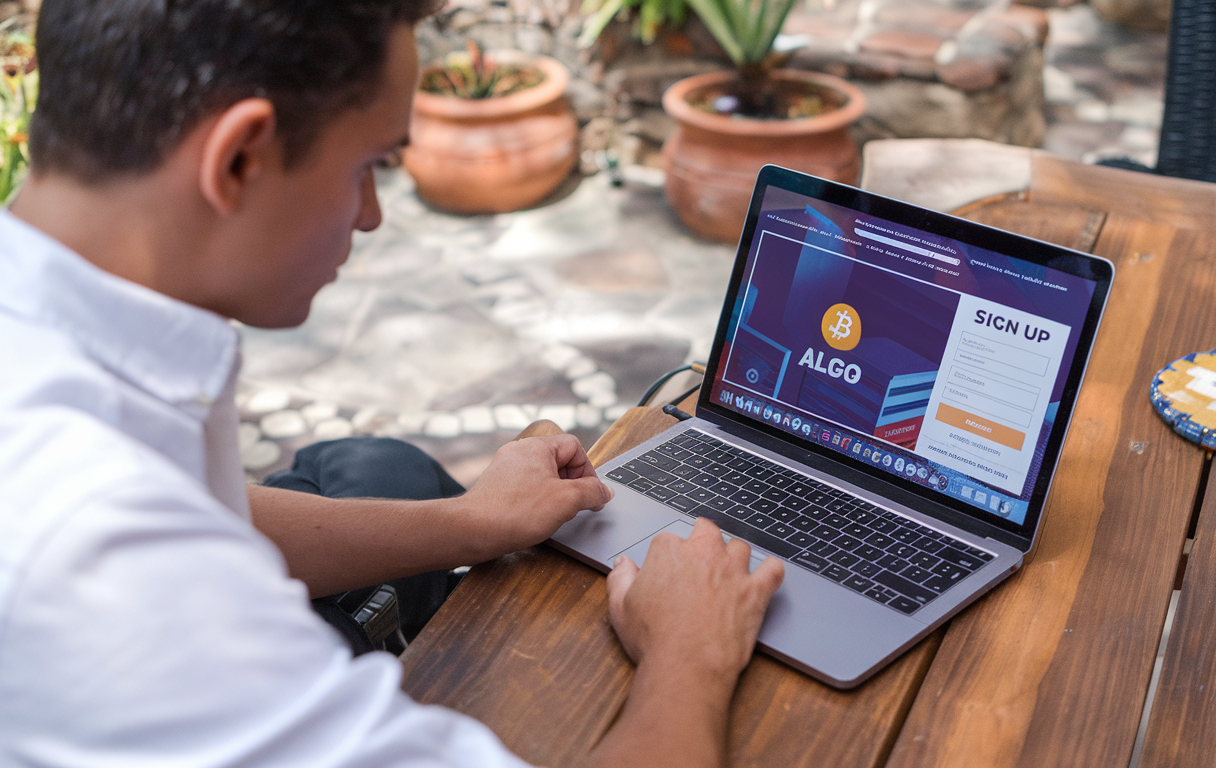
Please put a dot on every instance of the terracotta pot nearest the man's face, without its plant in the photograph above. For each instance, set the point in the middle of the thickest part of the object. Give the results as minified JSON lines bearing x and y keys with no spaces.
{"x":478,"y":156}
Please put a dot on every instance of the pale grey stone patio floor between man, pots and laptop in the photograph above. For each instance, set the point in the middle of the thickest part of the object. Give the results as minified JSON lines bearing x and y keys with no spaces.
{"x":455,"y":332}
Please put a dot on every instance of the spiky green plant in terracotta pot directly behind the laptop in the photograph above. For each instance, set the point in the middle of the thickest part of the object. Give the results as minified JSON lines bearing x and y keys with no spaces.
{"x":731,"y":123}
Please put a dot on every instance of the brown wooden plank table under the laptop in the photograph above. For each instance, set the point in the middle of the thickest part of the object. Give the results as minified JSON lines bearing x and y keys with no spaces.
{"x":1051,"y":669}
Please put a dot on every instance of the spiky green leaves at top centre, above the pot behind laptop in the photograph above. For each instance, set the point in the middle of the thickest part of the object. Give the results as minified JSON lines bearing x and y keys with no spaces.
{"x":746,"y":30}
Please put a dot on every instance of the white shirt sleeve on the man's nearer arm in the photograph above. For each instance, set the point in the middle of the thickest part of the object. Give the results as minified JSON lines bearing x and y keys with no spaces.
{"x":150,"y":626}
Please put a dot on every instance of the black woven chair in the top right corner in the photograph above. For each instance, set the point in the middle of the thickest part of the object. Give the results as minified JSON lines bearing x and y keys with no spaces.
{"x":1187,"y":148}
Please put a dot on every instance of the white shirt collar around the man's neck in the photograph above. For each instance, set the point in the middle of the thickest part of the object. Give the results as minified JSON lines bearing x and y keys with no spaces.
{"x":173,"y":351}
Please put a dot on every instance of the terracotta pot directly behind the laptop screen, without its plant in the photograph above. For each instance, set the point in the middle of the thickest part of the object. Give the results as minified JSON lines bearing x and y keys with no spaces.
{"x":713,"y":160}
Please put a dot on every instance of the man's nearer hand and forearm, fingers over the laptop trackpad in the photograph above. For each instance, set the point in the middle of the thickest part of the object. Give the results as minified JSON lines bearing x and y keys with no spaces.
{"x":689,"y":618}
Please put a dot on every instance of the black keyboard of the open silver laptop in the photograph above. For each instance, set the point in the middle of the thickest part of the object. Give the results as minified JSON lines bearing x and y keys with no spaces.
{"x":872,"y":551}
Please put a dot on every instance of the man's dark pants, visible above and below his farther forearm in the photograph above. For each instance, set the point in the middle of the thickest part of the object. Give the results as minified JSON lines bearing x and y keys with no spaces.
{"x":379,"y":468}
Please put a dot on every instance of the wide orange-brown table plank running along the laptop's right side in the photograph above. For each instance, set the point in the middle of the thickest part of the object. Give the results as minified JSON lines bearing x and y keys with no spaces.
{"x":1052,"y":669}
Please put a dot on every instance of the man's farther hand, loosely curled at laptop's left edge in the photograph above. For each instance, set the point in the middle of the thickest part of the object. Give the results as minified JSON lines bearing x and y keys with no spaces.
{"x":531,"y":489}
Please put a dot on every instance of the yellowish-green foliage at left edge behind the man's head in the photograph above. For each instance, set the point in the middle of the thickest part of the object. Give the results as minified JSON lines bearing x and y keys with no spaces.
{"x":19,"y":97}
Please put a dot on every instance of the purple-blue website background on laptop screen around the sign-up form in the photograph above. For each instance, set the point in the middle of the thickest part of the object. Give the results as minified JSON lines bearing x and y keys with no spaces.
{"x":907,"y":302}
